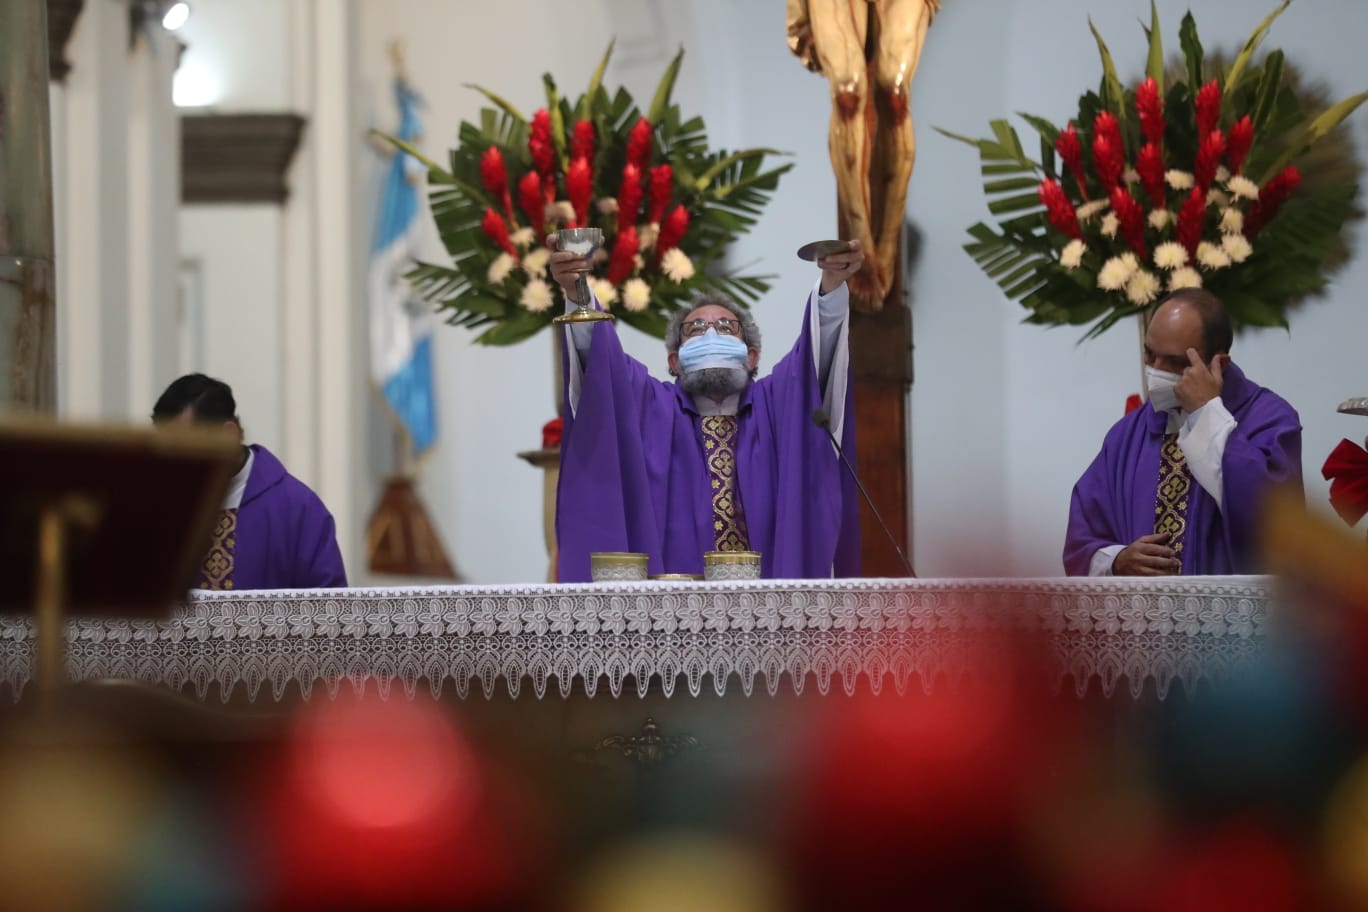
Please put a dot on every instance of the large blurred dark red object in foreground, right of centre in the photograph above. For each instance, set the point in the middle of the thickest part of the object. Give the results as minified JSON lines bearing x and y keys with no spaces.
{"x":921,"y":801}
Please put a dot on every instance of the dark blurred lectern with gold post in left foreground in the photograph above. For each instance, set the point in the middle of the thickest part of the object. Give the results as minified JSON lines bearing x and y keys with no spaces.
{"x":103,"y":522}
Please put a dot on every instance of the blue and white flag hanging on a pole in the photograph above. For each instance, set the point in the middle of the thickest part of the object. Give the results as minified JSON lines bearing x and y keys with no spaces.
{"x":402,"y":326}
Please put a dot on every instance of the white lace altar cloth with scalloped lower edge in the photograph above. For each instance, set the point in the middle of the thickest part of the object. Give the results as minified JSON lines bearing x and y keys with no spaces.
{"x":641,"y":635}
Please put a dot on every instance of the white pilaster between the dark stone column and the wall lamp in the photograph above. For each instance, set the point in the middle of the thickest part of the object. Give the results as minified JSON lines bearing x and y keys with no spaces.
{"x":116,"y":154}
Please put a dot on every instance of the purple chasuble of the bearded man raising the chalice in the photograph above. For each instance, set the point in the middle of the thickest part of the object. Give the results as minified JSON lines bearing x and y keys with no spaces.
{"x":634,"y":474}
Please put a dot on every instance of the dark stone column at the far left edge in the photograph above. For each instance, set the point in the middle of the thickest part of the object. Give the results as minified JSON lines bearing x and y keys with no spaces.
{"x":28,"y":327}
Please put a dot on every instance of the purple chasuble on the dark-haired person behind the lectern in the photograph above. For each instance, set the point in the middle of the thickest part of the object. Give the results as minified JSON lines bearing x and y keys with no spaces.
{"x":284,"y":538}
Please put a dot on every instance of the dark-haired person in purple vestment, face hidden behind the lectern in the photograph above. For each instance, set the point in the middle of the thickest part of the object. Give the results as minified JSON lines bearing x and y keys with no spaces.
{"x":273,"y":533}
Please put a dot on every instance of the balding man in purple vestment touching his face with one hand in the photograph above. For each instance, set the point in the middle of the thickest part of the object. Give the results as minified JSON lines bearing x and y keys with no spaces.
{"x":1179,"y":485}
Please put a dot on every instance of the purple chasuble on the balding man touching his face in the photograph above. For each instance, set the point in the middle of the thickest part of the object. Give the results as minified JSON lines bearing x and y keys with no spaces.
{"x":1114,"y":501}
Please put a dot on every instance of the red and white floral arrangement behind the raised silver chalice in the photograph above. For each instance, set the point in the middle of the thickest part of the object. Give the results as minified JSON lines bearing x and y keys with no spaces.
{"x":668,"y":206}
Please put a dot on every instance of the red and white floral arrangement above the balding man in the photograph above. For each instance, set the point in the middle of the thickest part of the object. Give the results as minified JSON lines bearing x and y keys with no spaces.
{"x":1157,"y":188}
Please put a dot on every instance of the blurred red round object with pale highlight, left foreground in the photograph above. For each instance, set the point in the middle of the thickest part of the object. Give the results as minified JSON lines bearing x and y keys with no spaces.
{"x":382,"y":805}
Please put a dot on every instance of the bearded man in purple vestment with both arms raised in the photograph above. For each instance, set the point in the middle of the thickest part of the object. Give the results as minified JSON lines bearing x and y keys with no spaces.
{"x":715,"y":460}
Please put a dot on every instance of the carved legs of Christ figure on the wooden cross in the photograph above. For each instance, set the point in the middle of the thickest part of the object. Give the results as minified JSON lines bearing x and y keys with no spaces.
{"x":858,"y":44}
